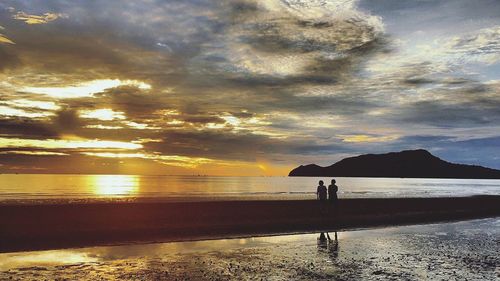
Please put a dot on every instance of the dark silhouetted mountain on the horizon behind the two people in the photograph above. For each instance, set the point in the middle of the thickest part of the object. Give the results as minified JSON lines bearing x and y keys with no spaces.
{"x":405,"y":164}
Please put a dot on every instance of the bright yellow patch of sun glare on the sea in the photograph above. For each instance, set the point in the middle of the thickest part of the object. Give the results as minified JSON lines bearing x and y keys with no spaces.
{"x":114,"y":185}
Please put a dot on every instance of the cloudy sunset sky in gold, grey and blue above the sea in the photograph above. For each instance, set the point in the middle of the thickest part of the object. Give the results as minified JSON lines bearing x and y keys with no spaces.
{"x":244,"y":87}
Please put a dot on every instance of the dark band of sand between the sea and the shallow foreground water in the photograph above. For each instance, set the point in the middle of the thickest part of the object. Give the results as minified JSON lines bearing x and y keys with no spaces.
{"x":52,"y":226}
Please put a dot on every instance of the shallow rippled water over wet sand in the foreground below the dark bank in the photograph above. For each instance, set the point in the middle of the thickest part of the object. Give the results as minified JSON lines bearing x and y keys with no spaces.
{"x":448,"y":251}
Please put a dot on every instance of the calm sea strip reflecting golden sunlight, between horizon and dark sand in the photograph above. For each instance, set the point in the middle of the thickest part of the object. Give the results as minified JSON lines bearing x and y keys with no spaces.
{"x":27,"y":188}
